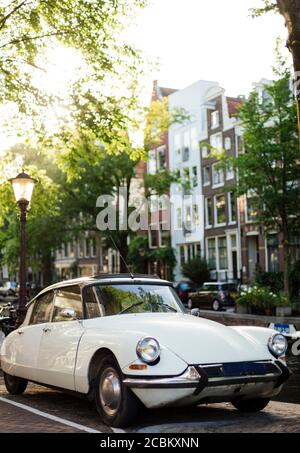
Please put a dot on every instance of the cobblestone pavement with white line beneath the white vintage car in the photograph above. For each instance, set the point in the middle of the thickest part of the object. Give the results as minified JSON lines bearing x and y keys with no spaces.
{"x":277,"y":417}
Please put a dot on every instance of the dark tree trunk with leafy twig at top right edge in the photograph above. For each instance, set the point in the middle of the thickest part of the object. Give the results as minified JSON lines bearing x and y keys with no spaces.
{"x":290,"y":10}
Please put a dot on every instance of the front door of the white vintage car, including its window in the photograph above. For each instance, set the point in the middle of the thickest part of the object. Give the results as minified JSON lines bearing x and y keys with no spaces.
{"x":60,"y":339}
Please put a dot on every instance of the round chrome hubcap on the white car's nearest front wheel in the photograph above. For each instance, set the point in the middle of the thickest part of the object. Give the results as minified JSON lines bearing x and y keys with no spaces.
{"x":110,"y":391}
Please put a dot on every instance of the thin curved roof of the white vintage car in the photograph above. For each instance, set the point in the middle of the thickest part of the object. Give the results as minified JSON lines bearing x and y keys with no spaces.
{"x":103,"y":278}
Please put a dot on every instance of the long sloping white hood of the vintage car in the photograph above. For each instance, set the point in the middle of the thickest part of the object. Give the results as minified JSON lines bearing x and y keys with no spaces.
{"x":195,"y":340}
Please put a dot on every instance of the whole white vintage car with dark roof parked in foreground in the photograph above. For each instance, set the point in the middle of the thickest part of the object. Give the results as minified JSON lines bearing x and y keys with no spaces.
{"x":127,"y":341}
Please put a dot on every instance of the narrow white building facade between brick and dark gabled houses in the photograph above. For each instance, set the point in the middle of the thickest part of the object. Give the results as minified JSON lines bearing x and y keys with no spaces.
{"x":187,"y":220}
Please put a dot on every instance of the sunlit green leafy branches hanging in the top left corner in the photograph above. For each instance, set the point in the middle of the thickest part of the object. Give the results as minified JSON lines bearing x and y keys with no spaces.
{"x":28,"y":28}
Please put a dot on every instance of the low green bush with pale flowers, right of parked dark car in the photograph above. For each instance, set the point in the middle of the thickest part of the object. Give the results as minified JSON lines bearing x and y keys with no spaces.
{"x":262,"y":298}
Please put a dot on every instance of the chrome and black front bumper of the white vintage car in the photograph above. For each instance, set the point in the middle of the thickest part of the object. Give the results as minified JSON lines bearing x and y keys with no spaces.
{"x":199,"y":377}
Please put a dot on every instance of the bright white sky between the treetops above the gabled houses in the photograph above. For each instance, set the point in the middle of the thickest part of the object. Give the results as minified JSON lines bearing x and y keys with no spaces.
{"x":208,"y":39}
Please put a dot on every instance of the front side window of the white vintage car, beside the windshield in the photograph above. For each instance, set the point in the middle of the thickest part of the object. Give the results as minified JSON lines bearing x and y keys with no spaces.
{"x":68,"y":297}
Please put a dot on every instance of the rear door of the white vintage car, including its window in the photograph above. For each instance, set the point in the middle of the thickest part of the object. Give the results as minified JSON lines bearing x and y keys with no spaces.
{"x":23,"y":344}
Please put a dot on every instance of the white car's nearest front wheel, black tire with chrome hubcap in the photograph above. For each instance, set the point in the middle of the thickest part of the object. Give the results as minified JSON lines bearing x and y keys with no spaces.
{"x":124,"y":404}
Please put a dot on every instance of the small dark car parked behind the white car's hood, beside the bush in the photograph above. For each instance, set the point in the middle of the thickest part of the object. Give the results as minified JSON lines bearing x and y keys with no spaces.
{"x":214,"y":296}
